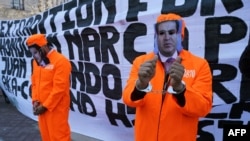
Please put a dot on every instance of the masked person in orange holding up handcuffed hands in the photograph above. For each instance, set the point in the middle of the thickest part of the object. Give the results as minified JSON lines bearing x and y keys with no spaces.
{"x":169,"y":98}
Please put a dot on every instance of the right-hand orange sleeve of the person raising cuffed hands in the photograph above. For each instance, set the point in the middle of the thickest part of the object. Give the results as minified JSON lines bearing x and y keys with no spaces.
{"x":198,"y":95}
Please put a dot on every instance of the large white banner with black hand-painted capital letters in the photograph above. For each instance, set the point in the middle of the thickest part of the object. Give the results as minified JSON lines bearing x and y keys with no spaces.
{"x":102,"y":38}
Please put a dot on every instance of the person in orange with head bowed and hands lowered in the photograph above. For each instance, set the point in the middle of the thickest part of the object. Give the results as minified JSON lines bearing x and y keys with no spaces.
{"x":50,"y":89}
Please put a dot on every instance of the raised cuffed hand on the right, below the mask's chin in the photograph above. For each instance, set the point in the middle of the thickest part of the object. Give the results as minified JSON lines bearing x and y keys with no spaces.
{"x":176,"y":73}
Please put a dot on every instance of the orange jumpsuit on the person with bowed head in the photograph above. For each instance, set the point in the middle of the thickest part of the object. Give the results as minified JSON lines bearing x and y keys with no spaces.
{"x":51,"y":87}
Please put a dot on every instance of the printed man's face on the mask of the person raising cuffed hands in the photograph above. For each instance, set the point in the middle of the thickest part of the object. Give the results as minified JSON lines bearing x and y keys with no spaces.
{"x":167,"y":38}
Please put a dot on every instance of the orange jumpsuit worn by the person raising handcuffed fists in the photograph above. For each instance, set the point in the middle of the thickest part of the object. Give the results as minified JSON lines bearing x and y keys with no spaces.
{"x":167,"y":121}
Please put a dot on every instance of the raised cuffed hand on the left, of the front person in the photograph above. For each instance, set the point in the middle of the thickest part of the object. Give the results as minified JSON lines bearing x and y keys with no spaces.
{"x":146,"y":73}
